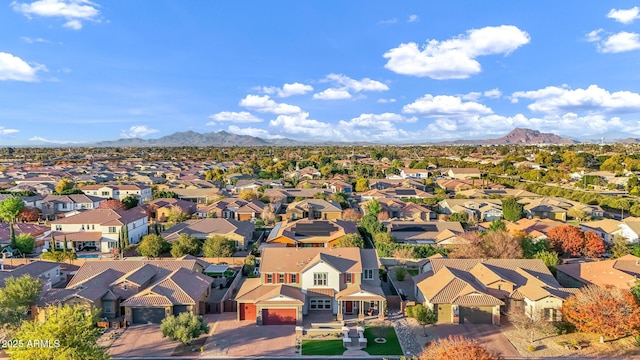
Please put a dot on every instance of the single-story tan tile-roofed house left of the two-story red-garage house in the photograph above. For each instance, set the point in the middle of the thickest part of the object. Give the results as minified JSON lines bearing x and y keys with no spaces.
{"x":138,"y":292}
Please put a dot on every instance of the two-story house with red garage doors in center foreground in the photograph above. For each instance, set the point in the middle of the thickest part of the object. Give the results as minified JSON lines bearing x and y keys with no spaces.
{"x":294,"y":283}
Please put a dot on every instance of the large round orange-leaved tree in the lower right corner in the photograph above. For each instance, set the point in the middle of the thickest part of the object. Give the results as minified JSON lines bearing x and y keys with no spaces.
{"x":605,"y":310}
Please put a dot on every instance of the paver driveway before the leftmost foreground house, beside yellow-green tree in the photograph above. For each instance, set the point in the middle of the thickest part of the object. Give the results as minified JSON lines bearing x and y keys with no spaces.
{"x":142,"y":340}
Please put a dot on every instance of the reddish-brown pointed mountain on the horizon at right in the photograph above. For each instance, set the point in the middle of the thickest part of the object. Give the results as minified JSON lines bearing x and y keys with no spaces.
{"x":517,"y":136}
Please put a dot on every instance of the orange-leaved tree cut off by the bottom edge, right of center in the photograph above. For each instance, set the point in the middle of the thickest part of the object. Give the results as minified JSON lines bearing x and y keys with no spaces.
{"x":456,"y":347}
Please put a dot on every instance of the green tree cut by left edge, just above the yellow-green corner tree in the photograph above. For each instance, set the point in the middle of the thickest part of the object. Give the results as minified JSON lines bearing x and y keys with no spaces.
{"x":16,"y":298}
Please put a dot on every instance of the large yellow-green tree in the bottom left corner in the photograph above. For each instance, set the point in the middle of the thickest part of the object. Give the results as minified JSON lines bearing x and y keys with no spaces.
{"x":71,"y":330}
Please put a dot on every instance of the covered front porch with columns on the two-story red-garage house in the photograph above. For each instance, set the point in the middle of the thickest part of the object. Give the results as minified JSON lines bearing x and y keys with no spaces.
{"x":358,"y":302}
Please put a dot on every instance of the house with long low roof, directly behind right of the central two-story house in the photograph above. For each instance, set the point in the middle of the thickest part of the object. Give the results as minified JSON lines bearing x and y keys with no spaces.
{"x":431,"y":232}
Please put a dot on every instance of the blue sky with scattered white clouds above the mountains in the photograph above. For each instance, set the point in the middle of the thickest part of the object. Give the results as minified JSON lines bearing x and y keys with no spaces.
{"x":392,"y":72}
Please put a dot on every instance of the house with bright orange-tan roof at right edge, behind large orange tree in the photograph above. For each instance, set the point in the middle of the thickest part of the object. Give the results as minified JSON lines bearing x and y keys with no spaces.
{"x":622,"y":273}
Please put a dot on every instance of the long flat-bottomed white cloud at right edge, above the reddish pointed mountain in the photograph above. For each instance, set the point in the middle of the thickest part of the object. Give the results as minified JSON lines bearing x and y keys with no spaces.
{"x":555,"y":100}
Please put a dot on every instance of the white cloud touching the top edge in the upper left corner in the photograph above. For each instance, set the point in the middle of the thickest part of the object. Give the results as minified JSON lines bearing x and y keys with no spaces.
{"x":73,"y":11}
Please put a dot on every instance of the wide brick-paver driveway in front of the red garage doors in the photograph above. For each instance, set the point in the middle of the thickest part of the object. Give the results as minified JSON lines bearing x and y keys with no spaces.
{"x":233,"y":338}
